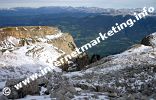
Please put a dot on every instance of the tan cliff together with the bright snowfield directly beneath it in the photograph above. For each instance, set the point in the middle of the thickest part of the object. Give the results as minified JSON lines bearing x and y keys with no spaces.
{"x":24,"y":50}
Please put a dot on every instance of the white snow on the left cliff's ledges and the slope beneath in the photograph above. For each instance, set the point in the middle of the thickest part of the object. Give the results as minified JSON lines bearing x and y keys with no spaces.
{"x":19,"y":62}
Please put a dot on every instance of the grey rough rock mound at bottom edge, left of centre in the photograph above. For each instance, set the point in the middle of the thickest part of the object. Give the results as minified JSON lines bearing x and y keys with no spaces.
{"x":60,"y":88}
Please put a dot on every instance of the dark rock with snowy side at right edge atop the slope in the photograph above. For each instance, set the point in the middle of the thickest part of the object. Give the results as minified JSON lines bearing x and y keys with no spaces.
{"x":149,"y":40}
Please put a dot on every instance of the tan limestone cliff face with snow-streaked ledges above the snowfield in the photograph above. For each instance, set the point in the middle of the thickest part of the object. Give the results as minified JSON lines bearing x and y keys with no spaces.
{"x":33,"y":34}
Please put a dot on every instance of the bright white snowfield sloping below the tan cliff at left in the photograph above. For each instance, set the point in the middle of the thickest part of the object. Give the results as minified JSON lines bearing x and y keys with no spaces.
{"x":27,"y":59}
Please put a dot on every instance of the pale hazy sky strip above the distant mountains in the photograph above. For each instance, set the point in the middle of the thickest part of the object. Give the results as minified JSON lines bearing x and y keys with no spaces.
{"x":78,"y":3}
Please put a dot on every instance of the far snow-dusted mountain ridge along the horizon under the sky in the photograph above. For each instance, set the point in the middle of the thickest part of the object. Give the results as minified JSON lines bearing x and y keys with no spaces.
{"x":57,"y":10}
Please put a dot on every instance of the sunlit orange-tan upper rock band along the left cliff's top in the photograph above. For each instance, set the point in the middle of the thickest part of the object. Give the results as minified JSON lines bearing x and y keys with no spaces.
{"x":27,"y":31}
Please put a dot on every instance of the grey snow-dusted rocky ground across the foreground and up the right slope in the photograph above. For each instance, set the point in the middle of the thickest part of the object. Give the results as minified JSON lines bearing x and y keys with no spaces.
{"x":130,"y":75}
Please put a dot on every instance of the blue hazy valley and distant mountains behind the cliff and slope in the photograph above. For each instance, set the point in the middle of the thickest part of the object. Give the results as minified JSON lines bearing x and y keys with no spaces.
{"x":84,"y":24}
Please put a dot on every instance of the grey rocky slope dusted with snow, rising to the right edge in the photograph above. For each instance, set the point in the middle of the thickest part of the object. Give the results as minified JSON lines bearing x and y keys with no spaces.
{"x":130,"y":75}
